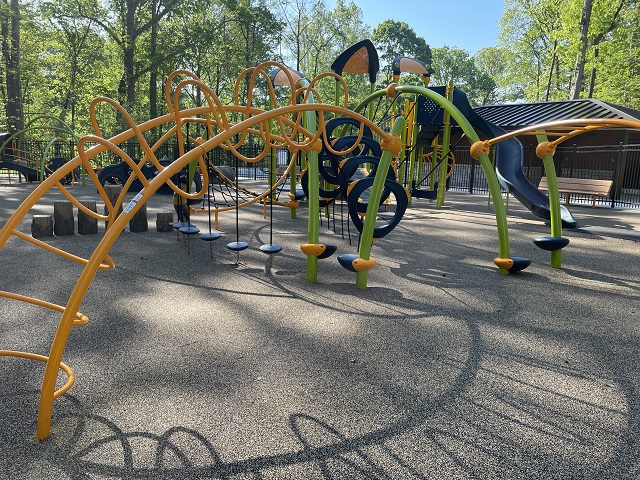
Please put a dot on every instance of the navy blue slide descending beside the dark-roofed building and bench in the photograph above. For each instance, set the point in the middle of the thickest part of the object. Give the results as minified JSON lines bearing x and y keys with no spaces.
{"x":509,"y":157}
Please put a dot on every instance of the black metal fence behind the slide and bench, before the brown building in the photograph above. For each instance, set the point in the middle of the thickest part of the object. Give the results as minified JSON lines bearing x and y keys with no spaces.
{"x":620,"y":163}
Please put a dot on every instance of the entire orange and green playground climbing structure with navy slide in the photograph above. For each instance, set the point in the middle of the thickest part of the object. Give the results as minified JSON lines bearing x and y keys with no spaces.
{"x":313,"y":132}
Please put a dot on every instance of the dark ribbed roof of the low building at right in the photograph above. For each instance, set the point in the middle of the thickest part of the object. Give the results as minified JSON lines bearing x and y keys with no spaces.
{"x":520,"y":115}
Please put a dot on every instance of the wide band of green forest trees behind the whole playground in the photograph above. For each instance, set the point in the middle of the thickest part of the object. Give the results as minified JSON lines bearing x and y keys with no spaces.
{"x":57,"y":56}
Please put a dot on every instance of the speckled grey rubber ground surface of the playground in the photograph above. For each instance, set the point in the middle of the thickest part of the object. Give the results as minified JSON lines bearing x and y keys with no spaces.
{"x":230,"y":367}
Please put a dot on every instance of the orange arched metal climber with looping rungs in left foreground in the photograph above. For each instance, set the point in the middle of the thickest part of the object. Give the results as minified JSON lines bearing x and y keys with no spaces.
{"x":228,"y":127}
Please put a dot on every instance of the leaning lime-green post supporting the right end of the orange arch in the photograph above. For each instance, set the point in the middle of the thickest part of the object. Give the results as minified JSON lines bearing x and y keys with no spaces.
{"x":366,"y":239}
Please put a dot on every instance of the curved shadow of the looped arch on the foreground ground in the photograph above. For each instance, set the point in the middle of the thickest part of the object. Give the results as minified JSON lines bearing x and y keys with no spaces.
{"x":321,"y":443}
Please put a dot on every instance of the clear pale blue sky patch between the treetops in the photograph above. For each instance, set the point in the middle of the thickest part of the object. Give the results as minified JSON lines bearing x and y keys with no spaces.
{"x":466,"y":24}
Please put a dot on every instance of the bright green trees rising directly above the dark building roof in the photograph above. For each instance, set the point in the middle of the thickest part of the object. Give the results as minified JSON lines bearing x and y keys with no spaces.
{"x":540,"y":42}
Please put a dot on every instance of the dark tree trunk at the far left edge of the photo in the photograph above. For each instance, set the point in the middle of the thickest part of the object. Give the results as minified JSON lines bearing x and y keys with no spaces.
{"x":11,"y":50}
